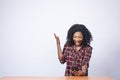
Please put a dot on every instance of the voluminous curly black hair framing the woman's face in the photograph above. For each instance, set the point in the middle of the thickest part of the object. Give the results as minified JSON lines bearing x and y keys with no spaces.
{"x":87,"y":37}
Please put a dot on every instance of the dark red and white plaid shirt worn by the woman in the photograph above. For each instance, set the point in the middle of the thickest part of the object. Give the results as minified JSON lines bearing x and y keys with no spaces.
{"x":75,"y":58}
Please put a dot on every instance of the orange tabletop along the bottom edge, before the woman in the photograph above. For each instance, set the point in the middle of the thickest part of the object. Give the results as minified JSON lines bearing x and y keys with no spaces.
{"x":55,"y":78}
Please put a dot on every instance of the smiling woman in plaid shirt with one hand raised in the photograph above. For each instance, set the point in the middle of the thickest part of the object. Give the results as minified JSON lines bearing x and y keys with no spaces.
{"x":77,"y":50}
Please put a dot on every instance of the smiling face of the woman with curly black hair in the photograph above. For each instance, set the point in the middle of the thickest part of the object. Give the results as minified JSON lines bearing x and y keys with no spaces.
{"x":77,"y":38}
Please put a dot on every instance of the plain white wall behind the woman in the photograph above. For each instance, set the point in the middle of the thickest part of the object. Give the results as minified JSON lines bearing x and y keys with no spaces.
{"x":27,"y":44}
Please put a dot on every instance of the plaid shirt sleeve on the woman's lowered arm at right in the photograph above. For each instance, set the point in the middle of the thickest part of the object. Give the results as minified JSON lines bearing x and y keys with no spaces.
{"x":87,"y":55}
